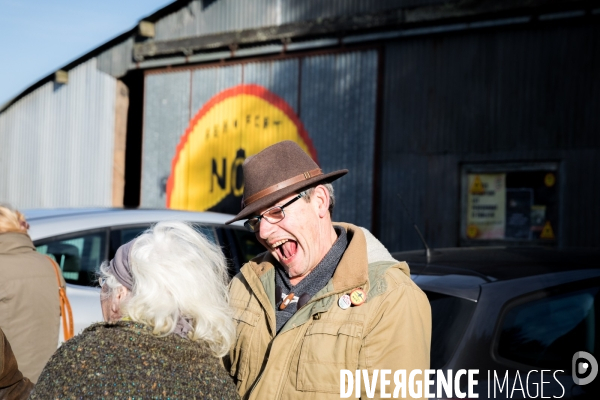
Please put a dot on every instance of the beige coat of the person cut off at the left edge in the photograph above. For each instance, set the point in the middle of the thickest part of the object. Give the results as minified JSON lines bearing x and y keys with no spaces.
{"x":29,"y":303}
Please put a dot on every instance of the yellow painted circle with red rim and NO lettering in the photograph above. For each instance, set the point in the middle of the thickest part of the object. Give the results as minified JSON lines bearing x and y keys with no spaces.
{"x":206,"y":172}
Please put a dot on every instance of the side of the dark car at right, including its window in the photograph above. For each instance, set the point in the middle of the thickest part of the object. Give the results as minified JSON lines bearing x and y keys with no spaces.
{"x":532,"y":324}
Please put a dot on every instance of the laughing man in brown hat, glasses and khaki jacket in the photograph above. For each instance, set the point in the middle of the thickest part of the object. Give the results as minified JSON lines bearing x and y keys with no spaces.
{"x":325,"y":297}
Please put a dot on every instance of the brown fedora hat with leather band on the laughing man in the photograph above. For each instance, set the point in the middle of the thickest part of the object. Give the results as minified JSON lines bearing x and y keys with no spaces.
{"x":275,"y":173}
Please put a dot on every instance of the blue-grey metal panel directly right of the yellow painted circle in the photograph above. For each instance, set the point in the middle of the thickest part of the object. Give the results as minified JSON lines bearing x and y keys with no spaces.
{"x":338,"y":109}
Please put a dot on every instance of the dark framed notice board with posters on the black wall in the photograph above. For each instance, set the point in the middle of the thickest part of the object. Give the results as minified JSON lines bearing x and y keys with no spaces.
{"x":510,"y":203}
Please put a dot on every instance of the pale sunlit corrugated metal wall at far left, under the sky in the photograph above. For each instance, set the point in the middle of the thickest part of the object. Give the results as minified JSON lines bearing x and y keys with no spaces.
{"x":57,"y":143}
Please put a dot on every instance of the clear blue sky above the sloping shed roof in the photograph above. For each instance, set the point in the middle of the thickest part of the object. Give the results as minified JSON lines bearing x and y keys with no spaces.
{"x":38,"y":37}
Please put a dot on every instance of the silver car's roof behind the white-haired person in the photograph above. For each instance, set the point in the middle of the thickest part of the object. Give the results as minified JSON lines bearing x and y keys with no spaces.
{"x":54,"y":222}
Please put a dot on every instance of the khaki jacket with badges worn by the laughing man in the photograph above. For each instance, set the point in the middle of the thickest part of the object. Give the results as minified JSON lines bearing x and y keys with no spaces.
{"x":391,"y":330}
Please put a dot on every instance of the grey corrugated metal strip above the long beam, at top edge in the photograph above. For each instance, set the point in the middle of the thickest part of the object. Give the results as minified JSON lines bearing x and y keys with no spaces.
{"x":231,"y":15}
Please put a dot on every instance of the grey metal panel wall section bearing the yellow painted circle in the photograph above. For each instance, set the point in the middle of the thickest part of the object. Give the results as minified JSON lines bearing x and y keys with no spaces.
{"x":201,"y":122}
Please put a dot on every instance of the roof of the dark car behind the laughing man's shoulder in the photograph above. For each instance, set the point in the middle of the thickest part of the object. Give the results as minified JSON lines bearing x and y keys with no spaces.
{"x":499,"y":263}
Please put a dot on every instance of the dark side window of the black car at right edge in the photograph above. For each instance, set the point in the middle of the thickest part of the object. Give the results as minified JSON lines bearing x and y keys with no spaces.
{"x":543,"y":330}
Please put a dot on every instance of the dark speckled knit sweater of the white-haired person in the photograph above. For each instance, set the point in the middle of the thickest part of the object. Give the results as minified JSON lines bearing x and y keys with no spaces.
{"x":124,"y":360}
